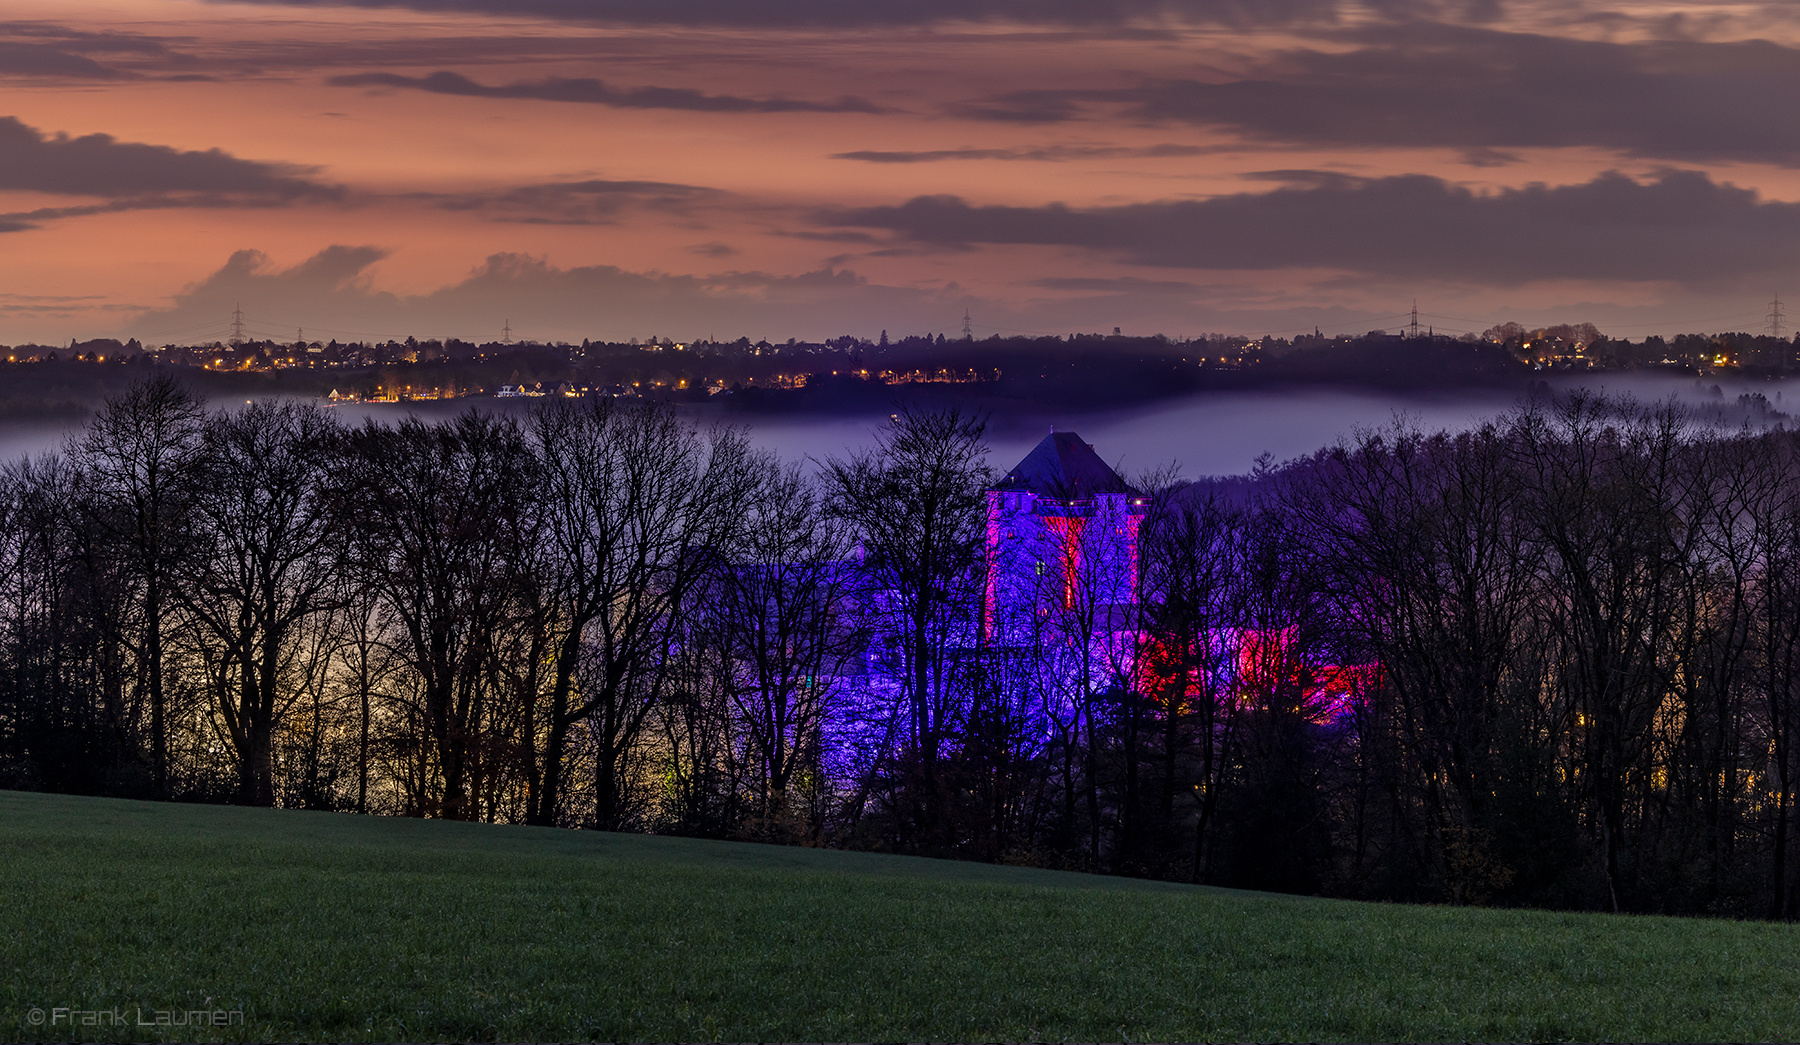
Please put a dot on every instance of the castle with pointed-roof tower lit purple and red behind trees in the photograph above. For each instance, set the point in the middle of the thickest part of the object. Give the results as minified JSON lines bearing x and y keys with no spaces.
{"x":1061,"y":618}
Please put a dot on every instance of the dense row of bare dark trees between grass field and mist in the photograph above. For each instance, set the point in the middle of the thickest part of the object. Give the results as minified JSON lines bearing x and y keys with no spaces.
{"x":1552,"y":661}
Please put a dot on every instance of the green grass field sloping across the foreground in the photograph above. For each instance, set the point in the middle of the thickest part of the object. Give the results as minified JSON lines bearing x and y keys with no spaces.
{"x":325,"y":927}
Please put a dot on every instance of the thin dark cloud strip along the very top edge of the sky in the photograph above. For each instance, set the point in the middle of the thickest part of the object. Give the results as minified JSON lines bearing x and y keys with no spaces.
{"x":850,"y":13}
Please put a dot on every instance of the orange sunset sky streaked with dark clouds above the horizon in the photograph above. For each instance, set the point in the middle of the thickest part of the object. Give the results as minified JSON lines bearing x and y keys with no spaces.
{"x":813,"y":168}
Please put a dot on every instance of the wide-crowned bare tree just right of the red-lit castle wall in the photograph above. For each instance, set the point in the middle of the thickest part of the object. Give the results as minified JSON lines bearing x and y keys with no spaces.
{"x":1430,"y":576}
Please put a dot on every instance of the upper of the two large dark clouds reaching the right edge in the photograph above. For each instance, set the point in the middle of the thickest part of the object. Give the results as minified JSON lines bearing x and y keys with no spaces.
{"x":1482,"y":91}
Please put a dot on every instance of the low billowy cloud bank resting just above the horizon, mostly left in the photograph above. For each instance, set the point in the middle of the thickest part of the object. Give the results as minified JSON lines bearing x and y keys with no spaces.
{"x":334,"y":296}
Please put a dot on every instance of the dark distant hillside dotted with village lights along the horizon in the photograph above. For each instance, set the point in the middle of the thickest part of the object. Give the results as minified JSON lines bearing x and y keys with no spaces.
{"x":1075,"y":370}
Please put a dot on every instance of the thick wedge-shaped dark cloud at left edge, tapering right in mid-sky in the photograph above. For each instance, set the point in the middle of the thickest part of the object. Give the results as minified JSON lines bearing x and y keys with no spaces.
{"x":105,"y":166}
